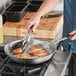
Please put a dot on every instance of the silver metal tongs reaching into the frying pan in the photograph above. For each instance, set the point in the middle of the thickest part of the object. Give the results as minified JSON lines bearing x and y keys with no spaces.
{"x":26,"y":41}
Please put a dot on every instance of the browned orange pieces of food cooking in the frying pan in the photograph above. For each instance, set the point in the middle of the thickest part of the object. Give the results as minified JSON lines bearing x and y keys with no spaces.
{"x":34,"y":52}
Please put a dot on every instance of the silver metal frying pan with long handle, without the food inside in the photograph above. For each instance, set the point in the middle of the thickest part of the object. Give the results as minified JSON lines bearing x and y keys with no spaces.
{"x":50,"y":47}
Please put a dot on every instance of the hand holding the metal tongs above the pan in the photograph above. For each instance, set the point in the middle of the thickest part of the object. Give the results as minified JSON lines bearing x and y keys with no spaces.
{"x":33,"y":21}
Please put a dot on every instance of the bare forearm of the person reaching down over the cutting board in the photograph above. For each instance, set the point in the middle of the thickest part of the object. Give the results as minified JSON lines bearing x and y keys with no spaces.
{"x":46,"y":7}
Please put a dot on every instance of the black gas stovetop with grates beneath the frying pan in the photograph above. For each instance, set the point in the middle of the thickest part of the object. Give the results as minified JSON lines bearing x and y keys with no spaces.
{"x":9,"y":67}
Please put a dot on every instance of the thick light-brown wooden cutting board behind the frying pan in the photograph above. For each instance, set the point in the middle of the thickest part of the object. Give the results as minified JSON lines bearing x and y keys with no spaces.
{"x":48,"y":27}
